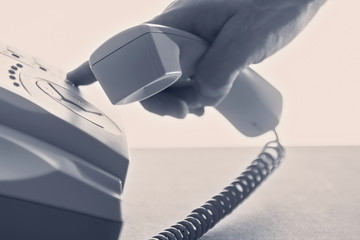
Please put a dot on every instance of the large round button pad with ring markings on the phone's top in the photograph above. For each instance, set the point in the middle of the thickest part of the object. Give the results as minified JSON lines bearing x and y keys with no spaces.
{"x":65,"y":102}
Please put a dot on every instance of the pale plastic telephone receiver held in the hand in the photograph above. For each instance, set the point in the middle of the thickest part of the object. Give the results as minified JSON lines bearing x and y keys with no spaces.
{"x":144,"y":60}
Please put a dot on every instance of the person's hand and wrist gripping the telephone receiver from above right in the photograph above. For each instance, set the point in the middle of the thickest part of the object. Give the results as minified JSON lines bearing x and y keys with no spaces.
{"x":240,"y":33}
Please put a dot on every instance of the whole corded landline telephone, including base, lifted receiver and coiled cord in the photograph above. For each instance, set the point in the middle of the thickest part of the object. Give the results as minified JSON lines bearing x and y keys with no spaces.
{"x":63,"y":162}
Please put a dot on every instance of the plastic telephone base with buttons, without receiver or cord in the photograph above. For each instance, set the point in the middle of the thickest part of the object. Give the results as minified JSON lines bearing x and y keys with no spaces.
{"x":63,"y":162}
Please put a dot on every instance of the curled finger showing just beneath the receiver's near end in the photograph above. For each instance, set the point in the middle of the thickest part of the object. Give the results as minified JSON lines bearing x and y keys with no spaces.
{"x":164,"y":103}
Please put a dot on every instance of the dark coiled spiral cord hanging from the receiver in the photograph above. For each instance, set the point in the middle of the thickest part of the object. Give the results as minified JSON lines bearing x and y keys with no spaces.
{"x":201,"y":219}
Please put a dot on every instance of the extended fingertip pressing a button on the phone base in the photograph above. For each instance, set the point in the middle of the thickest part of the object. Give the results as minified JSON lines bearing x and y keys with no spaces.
{"x":81,"y":75}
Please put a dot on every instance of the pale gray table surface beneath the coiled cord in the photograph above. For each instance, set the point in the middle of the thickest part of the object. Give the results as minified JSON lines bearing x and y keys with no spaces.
{"x":314,"y":194}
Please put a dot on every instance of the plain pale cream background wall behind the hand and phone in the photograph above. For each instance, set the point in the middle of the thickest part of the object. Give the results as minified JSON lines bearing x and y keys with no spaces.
{"x":317,"y":73}
